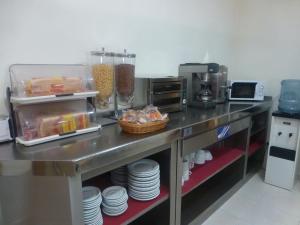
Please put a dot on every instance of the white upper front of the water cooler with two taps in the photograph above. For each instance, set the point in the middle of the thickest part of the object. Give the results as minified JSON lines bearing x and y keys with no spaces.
{"x":285,"y":132}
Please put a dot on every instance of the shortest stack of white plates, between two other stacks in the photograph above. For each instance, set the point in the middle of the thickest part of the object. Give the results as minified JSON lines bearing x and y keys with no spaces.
{"x":114,"y":200}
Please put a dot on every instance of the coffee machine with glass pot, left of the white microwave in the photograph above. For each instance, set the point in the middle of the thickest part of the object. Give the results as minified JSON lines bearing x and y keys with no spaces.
{"x":206,"y":84}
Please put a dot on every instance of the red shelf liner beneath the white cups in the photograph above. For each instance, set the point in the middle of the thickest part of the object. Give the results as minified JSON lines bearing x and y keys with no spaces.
{"x":221,"y":158}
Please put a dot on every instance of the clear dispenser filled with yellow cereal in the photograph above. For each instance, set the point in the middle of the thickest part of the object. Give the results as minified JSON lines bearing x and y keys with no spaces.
{"x":102,"y":69}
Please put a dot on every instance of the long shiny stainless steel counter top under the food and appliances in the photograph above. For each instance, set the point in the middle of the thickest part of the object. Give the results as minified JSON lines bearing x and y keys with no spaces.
{"x":76,"y":152}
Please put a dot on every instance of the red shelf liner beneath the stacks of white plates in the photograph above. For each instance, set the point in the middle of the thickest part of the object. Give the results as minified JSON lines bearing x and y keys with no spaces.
{"x":135,"y":208}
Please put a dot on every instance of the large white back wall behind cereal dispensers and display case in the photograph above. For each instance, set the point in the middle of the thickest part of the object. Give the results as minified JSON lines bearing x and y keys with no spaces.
{"x":163,"y":34}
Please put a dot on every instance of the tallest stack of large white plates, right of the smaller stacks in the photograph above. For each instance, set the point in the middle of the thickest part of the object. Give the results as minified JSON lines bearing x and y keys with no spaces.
{"x":144,"y":180}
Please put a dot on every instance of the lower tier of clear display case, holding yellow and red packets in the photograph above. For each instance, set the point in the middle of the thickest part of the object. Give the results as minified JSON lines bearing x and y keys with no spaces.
{"x":39,"y":123}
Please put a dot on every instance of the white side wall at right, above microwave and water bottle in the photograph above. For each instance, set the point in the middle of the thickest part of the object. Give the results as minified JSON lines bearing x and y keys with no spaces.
{"x":267,"y":43}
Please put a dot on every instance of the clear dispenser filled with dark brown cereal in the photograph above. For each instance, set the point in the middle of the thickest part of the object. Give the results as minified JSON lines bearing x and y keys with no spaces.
{"x":125,"y":75}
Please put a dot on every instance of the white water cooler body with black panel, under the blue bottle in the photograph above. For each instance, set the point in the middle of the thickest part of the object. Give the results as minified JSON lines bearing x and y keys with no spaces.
{"x":283,"y":150}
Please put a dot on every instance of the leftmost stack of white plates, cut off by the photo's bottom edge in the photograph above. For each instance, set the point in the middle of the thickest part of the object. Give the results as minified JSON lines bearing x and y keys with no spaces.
{"x":91,"y":206}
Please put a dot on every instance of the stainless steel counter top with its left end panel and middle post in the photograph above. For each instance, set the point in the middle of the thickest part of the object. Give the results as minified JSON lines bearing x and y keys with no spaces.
{"x":58,"y":168}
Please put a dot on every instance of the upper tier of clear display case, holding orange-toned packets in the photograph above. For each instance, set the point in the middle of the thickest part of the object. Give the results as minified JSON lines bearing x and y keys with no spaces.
{"x":35,"y":83}
